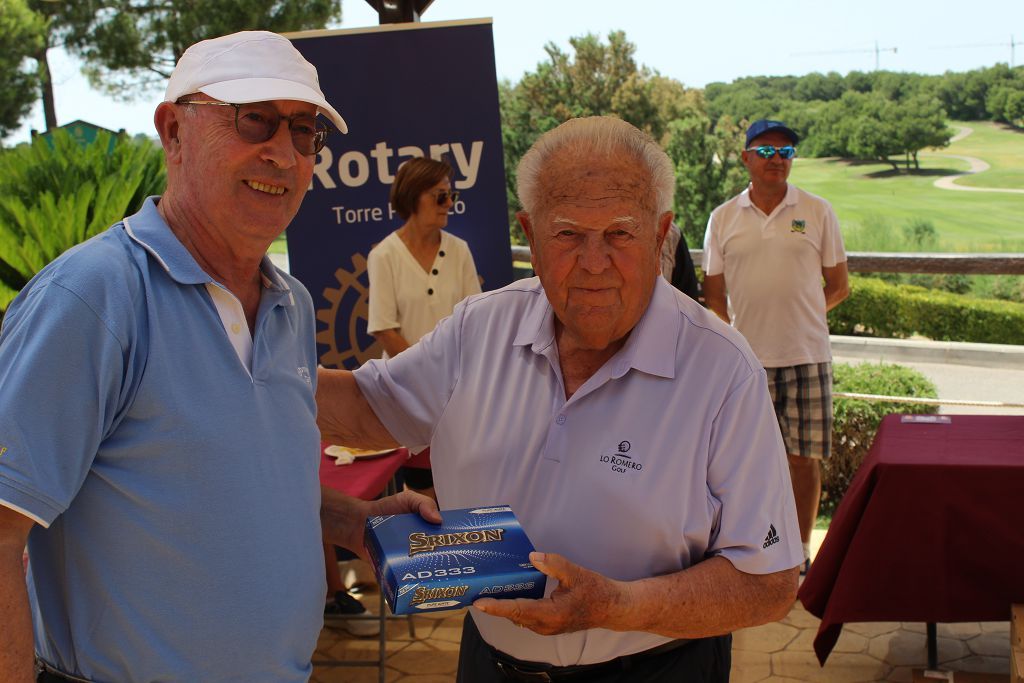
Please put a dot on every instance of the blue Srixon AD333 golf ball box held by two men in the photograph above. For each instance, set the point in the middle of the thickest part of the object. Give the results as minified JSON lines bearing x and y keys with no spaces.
{"x":475,"y":553}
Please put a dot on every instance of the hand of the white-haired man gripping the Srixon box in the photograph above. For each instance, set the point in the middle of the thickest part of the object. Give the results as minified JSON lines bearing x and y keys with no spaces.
{"x":584,"y":600}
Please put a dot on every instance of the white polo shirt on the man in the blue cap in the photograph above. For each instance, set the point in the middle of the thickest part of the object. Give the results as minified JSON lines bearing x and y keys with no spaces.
{"x":773,"y":268}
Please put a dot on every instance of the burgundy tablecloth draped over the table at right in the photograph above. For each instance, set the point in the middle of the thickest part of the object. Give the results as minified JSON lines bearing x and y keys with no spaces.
{"x":931,"y":530}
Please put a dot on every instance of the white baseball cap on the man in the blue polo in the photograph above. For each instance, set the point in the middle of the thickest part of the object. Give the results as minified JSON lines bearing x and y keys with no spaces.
{"x":249,"y":67}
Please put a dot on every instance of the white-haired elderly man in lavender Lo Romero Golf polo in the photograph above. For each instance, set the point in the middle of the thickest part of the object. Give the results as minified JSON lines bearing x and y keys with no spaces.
{"x":629,"y":429}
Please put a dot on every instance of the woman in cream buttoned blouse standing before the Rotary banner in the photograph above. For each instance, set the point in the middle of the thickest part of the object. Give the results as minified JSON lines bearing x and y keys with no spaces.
{"x":419,"y":273}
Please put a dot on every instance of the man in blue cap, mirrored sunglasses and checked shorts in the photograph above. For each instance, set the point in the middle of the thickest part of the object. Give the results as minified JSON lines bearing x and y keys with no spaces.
{"x":766,"y":252}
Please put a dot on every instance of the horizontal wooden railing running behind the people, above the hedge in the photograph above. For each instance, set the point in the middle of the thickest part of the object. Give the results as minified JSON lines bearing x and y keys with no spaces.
{"x":973,"y":265}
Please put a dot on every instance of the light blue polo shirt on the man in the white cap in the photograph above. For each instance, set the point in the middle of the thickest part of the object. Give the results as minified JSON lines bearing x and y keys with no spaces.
{"x":176,"y":491}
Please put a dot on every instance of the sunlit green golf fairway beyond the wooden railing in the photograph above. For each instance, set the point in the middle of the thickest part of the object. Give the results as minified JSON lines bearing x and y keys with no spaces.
{"x":874,"y":205}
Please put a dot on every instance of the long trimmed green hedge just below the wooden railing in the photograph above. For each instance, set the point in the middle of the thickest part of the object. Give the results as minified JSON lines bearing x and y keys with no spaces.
{"x":881,"y":310}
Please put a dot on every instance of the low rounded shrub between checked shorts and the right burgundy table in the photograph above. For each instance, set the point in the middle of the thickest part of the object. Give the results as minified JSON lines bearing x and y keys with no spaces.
{"x":857,"y":421}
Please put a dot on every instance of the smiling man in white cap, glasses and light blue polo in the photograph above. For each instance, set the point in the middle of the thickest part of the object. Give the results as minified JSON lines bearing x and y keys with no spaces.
{"x":158,"y":436}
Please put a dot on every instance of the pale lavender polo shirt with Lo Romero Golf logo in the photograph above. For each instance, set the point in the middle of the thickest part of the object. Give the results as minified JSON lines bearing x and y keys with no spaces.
{"x":668,"y":455}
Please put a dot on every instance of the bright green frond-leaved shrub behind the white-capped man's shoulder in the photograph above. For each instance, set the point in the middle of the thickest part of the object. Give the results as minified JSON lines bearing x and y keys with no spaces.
{"x":56,"y":194}
